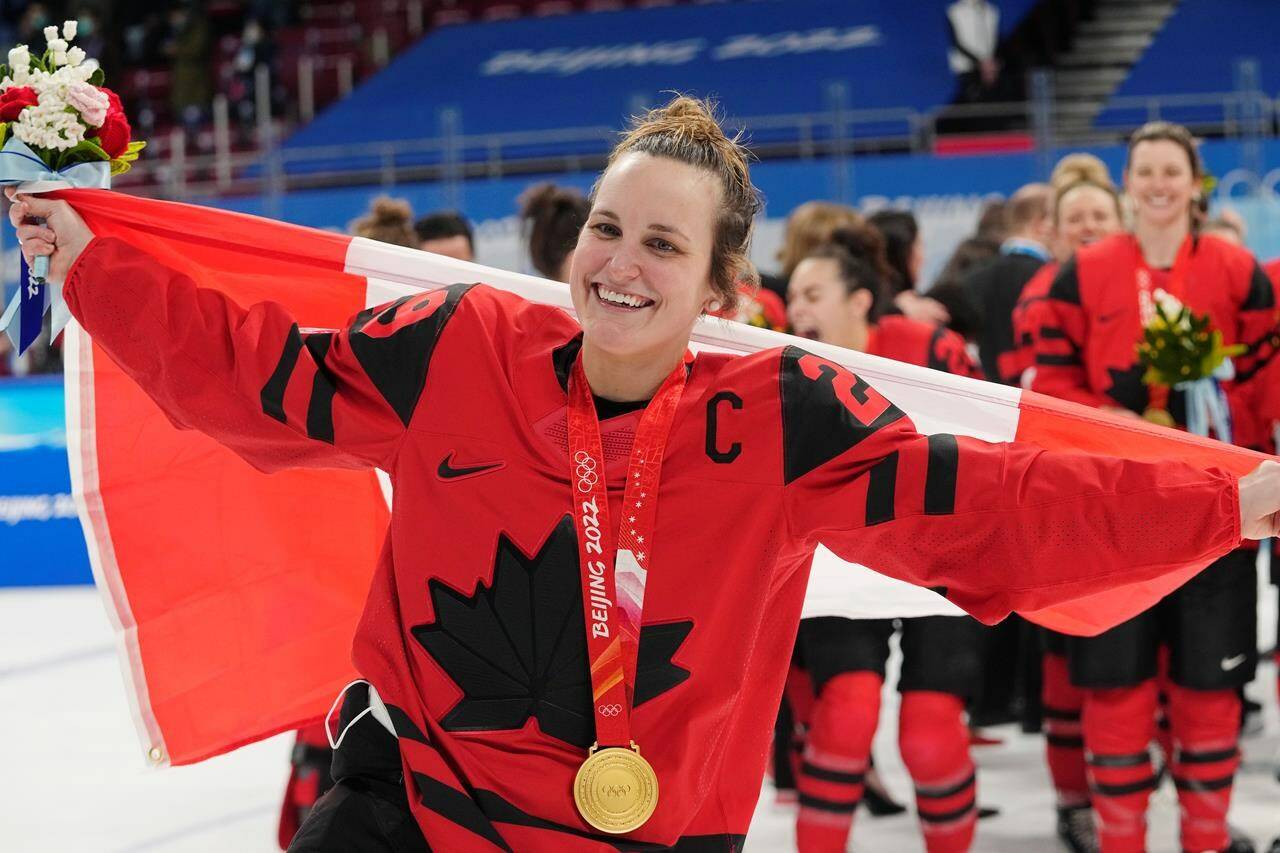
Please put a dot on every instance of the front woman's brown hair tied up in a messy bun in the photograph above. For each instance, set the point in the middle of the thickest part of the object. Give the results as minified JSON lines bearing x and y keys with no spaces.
{"x":688,"y":131}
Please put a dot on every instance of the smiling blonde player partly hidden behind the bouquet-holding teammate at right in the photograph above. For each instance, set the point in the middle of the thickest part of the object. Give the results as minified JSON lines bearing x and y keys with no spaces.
{"x":1086,"y":209}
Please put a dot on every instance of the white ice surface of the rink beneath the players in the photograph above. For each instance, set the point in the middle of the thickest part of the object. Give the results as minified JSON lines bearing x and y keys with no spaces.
{"x":72,"y":776}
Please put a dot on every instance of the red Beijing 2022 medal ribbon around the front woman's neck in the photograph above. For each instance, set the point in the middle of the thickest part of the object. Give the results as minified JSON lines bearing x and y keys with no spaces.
{"x":615,"y":567}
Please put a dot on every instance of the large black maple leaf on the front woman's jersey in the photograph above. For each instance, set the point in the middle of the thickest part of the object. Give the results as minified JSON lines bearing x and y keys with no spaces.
{"x":518,"y":647}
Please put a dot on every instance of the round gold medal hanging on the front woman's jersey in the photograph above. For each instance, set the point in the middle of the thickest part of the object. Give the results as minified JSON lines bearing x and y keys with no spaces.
{"x":616,"y":790}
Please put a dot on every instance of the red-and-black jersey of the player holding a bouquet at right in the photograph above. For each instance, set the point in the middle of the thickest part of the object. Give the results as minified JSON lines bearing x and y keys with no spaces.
{"x":1086,"y":350}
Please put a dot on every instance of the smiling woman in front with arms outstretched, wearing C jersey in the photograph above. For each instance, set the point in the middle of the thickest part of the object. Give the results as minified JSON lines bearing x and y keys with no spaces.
{"x":502,"y":640}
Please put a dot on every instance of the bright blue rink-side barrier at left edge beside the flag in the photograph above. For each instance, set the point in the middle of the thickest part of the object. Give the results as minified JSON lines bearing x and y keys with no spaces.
{"x":42,"y":541}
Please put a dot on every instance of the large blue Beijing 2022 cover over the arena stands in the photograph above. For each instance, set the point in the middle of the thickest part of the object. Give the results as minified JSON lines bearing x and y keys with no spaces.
{"x":767,"y":58}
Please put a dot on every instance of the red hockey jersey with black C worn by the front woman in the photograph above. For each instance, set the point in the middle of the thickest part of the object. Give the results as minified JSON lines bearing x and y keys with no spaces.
{"x":473,"y":631}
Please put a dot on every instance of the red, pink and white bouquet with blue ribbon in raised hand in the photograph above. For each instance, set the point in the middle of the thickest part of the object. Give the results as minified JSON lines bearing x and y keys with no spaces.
{"x":60,"y":129}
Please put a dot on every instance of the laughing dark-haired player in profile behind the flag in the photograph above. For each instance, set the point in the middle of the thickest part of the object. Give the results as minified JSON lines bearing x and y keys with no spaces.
{"x":836,"y":298}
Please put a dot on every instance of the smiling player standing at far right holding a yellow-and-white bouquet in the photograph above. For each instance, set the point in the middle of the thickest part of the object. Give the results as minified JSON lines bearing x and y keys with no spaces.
{"x":1087,"y":354}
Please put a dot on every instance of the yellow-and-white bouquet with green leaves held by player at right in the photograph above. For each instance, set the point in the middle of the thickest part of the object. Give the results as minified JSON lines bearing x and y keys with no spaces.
{"x":1182,"y":350}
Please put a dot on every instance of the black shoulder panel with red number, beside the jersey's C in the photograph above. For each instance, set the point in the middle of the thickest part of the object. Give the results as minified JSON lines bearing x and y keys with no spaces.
{"x":826,"y":410}
